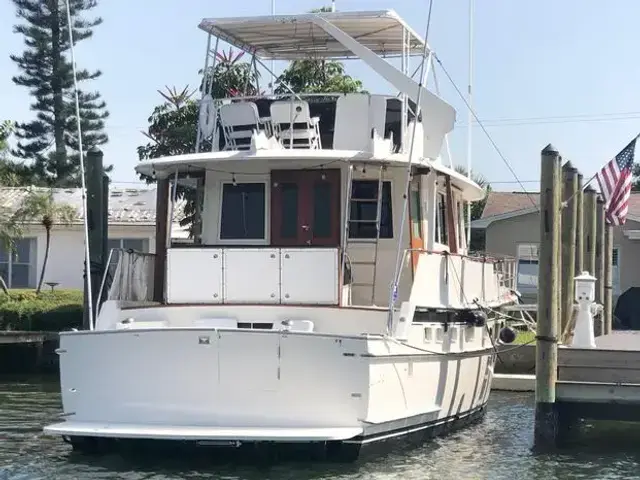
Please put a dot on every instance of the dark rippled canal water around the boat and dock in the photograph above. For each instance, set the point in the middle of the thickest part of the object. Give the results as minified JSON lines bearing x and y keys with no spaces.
{"x":498,"y":448}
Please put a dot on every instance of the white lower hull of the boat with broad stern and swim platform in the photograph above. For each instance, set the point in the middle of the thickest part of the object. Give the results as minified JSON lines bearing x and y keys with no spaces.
{"x":336,"y":396}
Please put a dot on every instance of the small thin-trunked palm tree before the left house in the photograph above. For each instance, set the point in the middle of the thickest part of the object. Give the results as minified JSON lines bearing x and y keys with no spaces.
{"x":39,"y":206}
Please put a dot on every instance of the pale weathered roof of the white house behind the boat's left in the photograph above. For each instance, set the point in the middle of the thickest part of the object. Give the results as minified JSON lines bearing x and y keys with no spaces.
{"x":132,"y":206}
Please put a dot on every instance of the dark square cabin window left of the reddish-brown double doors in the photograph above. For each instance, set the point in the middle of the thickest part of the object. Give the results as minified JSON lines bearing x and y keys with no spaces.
{"x":242,"y":215}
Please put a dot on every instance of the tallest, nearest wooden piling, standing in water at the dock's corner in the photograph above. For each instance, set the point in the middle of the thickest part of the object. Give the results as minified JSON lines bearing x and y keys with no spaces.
{"x":546,"y":425}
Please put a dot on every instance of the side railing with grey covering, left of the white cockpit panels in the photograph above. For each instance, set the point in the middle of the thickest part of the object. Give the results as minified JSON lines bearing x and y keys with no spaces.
{"x":129,"y":277}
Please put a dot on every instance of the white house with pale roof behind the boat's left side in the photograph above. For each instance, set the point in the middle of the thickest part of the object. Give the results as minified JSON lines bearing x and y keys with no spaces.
{"x":131,"y":225}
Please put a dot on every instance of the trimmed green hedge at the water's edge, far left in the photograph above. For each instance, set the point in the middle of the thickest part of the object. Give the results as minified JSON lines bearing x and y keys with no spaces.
{"x":49,"y":311}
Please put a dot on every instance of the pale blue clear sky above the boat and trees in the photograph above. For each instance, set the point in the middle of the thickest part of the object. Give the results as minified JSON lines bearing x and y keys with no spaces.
{"x":561,"y":72}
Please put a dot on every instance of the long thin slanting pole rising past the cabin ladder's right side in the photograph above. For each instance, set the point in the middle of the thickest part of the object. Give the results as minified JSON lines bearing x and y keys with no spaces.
{"x":393,"y":294}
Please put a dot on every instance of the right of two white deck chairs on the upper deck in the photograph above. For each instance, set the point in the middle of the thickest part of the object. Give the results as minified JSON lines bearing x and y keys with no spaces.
{"x":306,"y":130}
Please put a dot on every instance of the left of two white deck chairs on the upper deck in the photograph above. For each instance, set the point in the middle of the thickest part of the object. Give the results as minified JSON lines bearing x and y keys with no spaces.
{"x":239,"y":120}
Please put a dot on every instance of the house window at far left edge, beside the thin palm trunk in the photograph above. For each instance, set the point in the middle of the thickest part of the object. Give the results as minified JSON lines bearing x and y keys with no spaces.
{"x":18,"y":268}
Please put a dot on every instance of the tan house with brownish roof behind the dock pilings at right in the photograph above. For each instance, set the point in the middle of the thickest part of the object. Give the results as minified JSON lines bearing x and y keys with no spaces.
{"x":511,"y":225}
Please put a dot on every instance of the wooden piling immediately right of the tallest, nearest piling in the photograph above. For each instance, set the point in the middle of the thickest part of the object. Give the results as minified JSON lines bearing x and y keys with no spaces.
{"x":568,"y":235}
